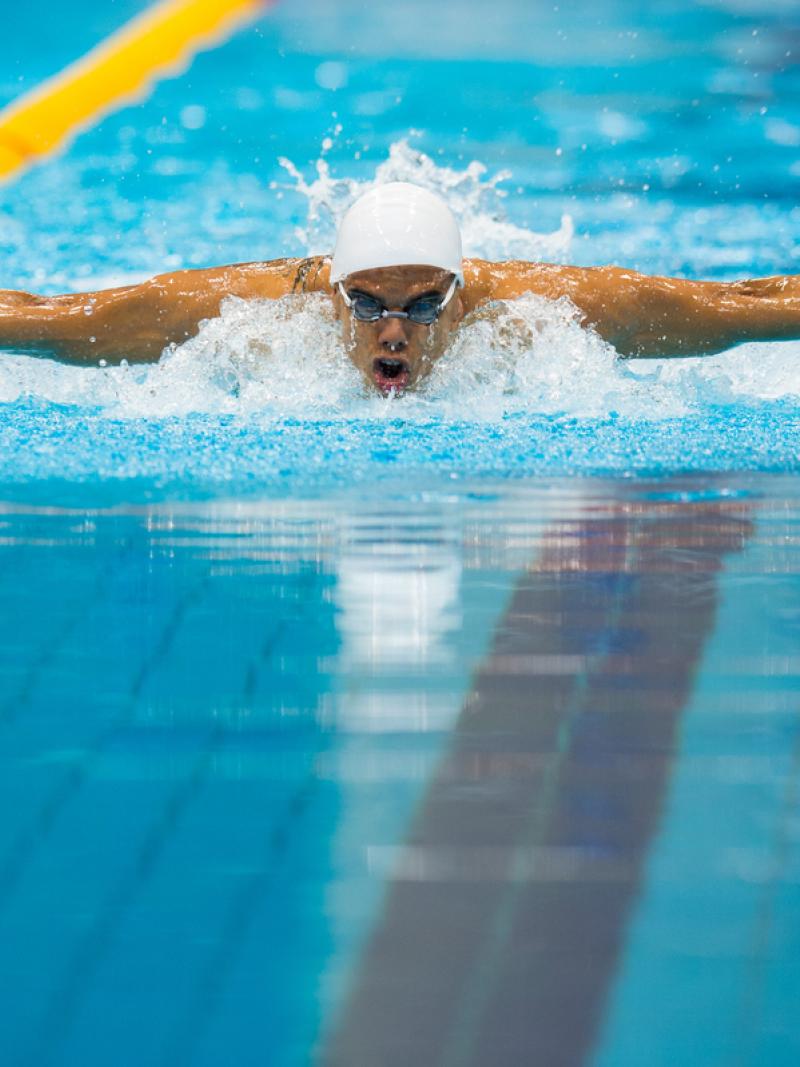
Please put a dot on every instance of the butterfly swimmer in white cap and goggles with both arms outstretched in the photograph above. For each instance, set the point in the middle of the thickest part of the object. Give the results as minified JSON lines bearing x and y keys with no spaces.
{"x":399,"y":288}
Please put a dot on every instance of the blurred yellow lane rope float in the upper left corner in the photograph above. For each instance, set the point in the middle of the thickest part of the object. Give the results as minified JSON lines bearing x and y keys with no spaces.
{"x":159,"y":42}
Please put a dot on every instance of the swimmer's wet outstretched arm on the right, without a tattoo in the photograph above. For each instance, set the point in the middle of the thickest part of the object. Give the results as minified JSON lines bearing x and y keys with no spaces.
{"x":644,"y":316}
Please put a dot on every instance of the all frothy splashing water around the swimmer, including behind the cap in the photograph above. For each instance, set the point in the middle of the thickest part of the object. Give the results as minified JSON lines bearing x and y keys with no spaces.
{"x":266,"y":390}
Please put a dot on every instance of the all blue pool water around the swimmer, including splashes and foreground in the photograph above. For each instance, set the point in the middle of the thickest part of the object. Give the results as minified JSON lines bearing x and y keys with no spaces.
{"x":459,"y":728}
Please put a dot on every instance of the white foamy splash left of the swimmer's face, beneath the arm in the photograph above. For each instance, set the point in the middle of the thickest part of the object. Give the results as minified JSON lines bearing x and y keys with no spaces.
{"x":281,"y":356}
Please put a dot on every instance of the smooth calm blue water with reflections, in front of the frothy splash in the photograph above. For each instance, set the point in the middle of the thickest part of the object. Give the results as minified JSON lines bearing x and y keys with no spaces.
{"x":452,"y":778}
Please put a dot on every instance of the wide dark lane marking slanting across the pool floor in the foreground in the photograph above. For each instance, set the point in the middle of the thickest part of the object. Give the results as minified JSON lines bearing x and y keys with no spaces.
{"x":507,"y":907}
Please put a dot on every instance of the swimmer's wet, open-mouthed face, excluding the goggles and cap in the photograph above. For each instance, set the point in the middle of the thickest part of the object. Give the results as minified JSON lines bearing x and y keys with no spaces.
{"x":395,"y":355}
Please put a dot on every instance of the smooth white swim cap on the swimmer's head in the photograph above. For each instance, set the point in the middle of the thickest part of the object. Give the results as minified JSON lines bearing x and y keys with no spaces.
{"x":396,"y":226}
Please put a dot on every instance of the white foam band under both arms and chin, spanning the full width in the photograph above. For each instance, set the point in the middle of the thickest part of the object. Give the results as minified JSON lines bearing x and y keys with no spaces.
{"x":286,"y":359}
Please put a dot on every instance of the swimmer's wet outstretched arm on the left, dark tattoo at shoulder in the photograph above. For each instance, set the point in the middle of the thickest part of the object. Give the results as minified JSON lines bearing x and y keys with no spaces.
{"x":137,"y":323}
